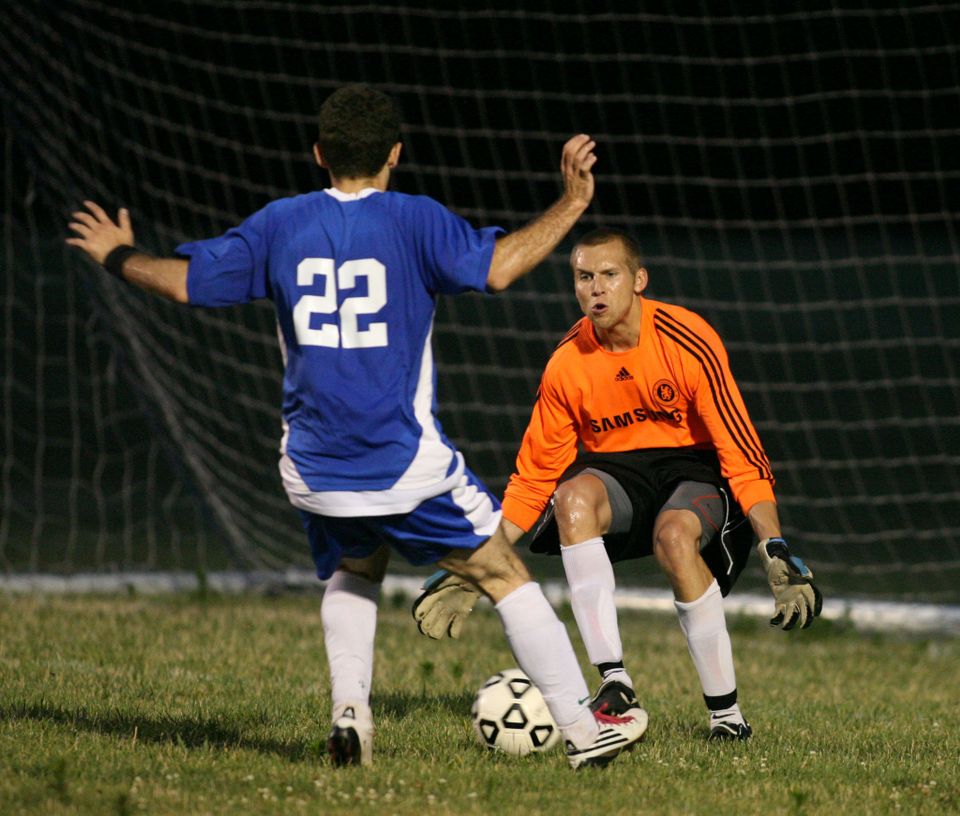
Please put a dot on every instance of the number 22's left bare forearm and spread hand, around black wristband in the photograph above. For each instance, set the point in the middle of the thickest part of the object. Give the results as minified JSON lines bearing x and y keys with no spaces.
{"x":97,"y":234}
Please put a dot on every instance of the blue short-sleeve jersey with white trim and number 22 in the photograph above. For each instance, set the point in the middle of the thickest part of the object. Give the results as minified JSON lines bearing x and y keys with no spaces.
{"x":354,"y":279}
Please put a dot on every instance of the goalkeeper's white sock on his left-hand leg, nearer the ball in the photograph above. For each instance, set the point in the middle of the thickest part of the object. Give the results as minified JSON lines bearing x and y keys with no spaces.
{"x":590,"y":576}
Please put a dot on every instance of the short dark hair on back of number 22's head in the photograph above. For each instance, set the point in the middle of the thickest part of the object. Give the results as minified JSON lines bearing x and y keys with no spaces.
{"x":358,"y":126}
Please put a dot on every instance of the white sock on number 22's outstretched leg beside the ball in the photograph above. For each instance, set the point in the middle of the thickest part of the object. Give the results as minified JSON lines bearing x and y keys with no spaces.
{"x":543,"y":650}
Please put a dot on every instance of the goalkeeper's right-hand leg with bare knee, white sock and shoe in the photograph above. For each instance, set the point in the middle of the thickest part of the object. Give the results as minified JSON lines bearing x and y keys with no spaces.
{"x":691,"y":517}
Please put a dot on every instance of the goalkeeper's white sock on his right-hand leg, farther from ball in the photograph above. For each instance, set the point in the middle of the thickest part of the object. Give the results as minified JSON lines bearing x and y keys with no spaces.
{"x":705,"y":626}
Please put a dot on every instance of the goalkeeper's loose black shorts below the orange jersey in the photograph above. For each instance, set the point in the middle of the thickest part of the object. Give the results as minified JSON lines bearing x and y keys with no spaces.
{"x":649,"y":478}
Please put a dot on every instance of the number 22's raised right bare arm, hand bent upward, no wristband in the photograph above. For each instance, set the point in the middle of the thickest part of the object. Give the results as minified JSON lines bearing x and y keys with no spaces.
{"x":519,"y":252}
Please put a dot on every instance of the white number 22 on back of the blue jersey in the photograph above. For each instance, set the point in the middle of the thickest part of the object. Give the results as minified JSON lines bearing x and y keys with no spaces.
{"x":348,"y":333}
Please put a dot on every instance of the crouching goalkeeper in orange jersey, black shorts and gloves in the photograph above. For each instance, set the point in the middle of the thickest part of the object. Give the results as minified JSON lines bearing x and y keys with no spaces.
{"x":669,"y":465}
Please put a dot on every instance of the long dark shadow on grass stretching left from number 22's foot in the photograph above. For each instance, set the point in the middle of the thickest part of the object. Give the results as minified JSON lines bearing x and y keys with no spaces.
{"x":189,"y":732}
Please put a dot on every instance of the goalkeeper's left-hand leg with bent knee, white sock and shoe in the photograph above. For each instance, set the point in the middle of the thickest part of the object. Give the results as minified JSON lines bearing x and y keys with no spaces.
{"x":587,"y":507}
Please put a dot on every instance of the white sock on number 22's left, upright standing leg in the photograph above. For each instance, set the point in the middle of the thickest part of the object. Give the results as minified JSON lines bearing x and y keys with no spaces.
{"x":349,"y":614}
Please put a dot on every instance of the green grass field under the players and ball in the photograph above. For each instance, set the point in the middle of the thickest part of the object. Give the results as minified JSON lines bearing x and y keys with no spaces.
{"x":182,"y":704}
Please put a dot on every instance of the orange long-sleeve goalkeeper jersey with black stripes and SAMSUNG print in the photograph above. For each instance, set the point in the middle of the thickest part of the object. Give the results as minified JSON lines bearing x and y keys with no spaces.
{"x":673,"y":390}
